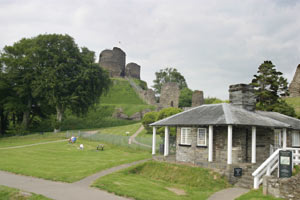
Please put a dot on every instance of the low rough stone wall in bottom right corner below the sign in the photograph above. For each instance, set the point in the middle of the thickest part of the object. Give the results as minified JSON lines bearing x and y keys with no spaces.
{"x":286,"y":188}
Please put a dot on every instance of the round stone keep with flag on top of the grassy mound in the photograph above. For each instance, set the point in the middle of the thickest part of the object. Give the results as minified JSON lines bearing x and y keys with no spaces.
{"x":114,"y":62}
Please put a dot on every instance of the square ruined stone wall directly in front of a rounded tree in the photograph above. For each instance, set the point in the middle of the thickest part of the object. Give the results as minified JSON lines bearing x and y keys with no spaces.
{"x":169,"y":96}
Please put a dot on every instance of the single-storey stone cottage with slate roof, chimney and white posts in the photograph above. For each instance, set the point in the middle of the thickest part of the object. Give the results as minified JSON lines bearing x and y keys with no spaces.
{"x":230,"y":135}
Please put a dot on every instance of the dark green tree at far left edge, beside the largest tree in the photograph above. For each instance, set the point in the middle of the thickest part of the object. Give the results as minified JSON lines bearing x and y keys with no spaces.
{"x":20,"y":72}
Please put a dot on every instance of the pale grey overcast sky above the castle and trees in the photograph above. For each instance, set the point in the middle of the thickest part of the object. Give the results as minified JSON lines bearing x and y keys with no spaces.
{"x":213,"y":44}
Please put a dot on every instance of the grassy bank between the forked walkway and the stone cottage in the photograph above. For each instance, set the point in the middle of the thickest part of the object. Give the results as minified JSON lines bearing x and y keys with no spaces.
{"x":156,"y":180}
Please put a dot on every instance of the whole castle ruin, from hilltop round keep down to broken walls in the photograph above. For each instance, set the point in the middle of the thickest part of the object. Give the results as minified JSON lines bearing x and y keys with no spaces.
{"x":114,"y":61}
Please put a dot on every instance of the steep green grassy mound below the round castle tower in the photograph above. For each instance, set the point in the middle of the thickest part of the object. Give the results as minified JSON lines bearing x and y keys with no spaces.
{"x":121,"y":95}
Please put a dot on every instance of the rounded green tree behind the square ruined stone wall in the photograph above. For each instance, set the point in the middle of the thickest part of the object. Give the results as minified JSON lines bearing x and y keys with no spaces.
{"x":168,"y":75}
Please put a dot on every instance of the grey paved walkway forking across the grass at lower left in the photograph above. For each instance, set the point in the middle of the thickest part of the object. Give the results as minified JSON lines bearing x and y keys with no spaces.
{"x":64,"y":191}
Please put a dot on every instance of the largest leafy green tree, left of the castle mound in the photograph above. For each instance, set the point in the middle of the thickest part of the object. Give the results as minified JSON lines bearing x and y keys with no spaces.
{"x":69,"y":77}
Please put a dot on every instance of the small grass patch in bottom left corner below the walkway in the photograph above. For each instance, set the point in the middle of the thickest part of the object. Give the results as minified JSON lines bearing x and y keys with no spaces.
{"x":7,"y":193}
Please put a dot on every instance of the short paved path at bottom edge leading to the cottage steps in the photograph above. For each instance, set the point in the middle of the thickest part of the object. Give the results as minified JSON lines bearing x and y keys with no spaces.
{"x":228,"y":194}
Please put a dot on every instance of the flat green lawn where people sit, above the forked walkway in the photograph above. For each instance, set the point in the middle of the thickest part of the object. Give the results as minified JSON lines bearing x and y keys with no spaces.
{"x":65,"y":162}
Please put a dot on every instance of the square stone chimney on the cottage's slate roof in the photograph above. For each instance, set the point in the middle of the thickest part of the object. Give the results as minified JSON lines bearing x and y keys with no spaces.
{"x":242,"y":95}
